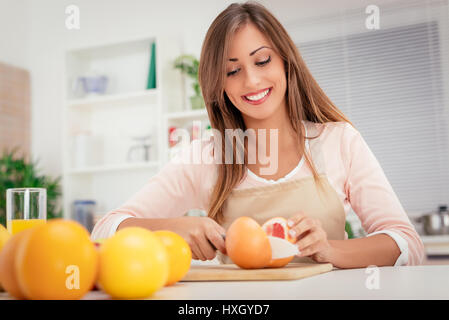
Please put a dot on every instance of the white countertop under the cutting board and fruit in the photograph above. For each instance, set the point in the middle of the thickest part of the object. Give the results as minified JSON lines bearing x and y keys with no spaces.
{"x":406,"y":282}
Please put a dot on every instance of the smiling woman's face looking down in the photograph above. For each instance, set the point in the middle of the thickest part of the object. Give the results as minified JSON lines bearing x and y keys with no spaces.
{"x":255,"y":75}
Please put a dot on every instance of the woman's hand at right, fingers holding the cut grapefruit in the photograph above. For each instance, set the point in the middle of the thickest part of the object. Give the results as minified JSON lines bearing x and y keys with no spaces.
{"x":311,"y":238}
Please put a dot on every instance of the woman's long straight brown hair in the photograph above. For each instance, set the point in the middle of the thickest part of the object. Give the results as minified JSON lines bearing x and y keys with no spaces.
{"x":305,"y":99}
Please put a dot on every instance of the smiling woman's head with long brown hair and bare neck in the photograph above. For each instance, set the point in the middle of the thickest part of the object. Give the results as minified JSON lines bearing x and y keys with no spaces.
{"x":264,"y":84}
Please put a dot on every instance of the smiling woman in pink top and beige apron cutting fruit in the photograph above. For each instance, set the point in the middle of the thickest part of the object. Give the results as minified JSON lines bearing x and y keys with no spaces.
{"x":253,"y":78}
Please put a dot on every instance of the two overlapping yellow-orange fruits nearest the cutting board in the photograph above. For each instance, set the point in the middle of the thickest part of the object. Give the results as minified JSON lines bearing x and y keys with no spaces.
{"x":136,"y":262}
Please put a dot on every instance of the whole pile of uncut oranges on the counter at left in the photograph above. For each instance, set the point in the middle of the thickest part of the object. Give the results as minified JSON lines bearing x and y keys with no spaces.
{"x":58,"y":260}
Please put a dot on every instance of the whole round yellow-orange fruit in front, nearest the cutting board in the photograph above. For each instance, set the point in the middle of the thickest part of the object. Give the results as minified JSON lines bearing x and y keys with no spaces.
{"x":133,"y":264}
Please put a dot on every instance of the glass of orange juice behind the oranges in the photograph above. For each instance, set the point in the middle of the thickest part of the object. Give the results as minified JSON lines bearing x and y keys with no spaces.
{"x":25,"y":208}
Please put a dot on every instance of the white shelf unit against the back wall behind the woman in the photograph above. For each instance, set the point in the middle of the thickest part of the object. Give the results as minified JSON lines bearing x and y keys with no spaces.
{"x":126,"y":110}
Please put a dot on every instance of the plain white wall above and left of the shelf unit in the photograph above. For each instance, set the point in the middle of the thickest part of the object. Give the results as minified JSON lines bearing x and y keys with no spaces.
{"x":101,"y":22}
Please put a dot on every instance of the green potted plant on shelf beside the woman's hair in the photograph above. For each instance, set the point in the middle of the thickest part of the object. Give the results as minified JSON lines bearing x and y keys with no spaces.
{"x":188,"y":65}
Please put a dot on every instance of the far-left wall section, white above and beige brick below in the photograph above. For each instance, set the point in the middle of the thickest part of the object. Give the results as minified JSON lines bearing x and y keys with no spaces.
{"x":14,"y":79}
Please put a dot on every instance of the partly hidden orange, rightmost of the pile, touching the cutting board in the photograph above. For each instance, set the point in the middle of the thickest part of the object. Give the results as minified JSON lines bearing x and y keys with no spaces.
{"x":179,"y":255}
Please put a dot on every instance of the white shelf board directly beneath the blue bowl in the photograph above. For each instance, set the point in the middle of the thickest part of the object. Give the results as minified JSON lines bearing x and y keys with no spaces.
{"x":142,"y":97}
